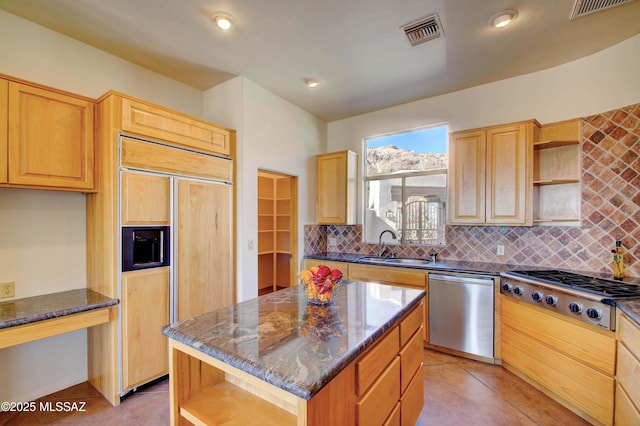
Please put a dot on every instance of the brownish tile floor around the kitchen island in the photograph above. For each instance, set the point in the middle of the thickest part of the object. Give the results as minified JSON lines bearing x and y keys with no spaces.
{"x":457,"y":392}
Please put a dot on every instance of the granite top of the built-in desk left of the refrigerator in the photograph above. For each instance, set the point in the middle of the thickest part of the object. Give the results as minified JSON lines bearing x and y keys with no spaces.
{"x":39,"y":308}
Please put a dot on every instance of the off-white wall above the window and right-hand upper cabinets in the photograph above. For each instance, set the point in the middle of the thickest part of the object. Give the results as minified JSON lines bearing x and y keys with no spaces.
{"x":601,"y":82}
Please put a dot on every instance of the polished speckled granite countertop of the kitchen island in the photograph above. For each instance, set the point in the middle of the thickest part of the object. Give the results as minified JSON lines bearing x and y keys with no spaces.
{"x":298,"y":347}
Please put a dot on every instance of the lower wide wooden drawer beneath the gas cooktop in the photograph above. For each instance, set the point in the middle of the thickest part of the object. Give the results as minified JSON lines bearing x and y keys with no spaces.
{"x":586,"y":388}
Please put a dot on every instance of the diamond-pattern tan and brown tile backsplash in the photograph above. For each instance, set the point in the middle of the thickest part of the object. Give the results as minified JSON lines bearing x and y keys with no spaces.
{"x":610,"y":211}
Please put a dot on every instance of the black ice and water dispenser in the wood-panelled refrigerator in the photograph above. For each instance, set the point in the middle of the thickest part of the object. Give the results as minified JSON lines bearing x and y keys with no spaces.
{"x":145,"y":247}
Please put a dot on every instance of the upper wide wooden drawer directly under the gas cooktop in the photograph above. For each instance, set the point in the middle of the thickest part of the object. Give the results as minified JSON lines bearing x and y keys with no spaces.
{"x":595,"y":348}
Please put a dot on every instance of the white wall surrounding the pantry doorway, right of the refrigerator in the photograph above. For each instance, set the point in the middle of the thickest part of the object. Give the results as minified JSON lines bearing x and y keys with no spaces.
{"x":274,"y":135}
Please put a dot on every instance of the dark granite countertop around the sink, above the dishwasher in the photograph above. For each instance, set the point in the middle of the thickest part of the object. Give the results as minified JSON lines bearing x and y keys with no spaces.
{"x":439,"y":265}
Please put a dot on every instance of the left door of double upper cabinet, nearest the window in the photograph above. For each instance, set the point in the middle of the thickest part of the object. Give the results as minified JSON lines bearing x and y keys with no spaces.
{"x":467,"y":152}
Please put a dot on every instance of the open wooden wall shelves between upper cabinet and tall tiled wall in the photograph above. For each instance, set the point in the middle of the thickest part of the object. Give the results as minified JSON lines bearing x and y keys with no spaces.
{"x":556,"y":175}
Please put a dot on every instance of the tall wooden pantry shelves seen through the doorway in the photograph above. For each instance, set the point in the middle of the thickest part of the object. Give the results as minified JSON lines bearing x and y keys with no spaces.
{"x":275,"y":231}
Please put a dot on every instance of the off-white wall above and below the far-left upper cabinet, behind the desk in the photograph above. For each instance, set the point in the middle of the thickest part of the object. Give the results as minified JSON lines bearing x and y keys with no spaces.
{"x":42,"y":233}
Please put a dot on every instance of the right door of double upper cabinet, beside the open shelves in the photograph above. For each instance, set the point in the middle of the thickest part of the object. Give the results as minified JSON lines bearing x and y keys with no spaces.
{"x":508,"y":181}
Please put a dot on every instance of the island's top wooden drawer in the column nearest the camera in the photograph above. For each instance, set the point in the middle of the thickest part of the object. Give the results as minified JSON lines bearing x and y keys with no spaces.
{"x":369,"y":368}
